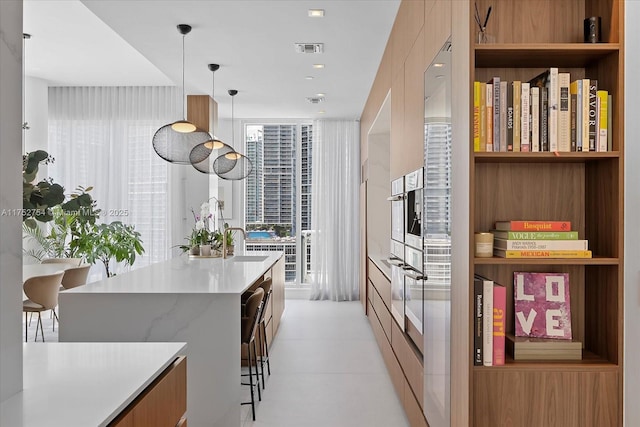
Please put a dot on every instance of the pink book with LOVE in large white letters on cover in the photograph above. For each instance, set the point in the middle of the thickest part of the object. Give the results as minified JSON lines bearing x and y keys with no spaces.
{"x":542,"y":306}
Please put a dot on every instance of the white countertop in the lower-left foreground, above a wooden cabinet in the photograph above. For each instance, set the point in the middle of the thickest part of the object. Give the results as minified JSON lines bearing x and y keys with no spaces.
{"x":83,"y":384}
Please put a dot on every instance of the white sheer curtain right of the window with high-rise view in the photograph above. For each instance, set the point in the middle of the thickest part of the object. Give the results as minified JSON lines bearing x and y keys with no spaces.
{"x":335,"y":210}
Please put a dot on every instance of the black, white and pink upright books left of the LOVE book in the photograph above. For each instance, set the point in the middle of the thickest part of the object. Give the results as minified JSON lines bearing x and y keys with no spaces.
{"x":490,"y":301}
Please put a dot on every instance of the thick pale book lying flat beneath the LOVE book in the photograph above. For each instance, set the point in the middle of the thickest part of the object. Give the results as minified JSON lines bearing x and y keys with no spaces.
{"x":528,"y":348}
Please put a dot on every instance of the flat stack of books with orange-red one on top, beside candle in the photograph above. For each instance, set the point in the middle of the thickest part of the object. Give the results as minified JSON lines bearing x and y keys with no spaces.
{"x":538,"y":239}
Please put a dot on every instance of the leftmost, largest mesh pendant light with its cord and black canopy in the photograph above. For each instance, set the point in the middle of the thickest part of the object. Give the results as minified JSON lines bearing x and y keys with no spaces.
{"x":173,"y":142}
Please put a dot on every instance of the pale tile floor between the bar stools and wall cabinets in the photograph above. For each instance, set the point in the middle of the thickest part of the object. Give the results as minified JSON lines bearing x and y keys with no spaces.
{"x":326,"y":370}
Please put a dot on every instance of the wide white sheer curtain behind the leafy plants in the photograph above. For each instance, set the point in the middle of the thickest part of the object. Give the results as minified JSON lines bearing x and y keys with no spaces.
{"x":101,"y":137}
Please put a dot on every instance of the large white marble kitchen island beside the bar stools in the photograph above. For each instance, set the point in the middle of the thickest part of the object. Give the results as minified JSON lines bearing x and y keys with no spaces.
{"x":196,"y":301}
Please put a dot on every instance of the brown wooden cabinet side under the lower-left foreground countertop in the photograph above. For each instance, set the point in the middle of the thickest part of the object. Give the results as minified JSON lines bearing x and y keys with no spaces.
{"x":162,"y":404}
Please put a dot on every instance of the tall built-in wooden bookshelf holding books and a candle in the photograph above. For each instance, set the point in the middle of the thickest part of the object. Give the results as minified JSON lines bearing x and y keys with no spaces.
{"x":585,"y":188}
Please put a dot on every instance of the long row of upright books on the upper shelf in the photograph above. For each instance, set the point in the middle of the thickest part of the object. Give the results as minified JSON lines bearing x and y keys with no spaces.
{"x":548,"y":113}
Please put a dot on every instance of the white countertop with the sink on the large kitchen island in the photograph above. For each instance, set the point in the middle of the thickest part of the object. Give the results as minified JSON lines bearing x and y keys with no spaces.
{"x":184,"y":275}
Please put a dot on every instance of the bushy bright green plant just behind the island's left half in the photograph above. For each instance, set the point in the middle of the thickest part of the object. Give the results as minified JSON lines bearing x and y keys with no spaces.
{"x":106,"y":242}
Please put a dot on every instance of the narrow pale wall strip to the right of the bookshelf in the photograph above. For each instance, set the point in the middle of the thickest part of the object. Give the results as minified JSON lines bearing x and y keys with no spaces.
{"x":632,"y":216}
